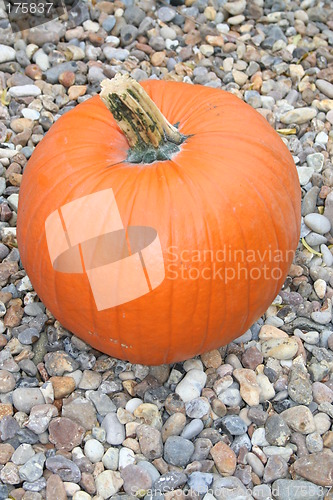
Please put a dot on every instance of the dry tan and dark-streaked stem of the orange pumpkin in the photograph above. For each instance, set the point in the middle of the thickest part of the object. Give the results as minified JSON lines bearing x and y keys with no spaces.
{"x":150,"y":136}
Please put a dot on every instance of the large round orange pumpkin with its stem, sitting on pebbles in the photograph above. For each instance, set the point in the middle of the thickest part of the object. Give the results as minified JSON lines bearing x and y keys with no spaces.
{"x":159,"y":220}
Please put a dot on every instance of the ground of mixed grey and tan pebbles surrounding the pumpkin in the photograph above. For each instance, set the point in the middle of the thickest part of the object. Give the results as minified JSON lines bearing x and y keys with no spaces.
{"x":75,"y":423}
